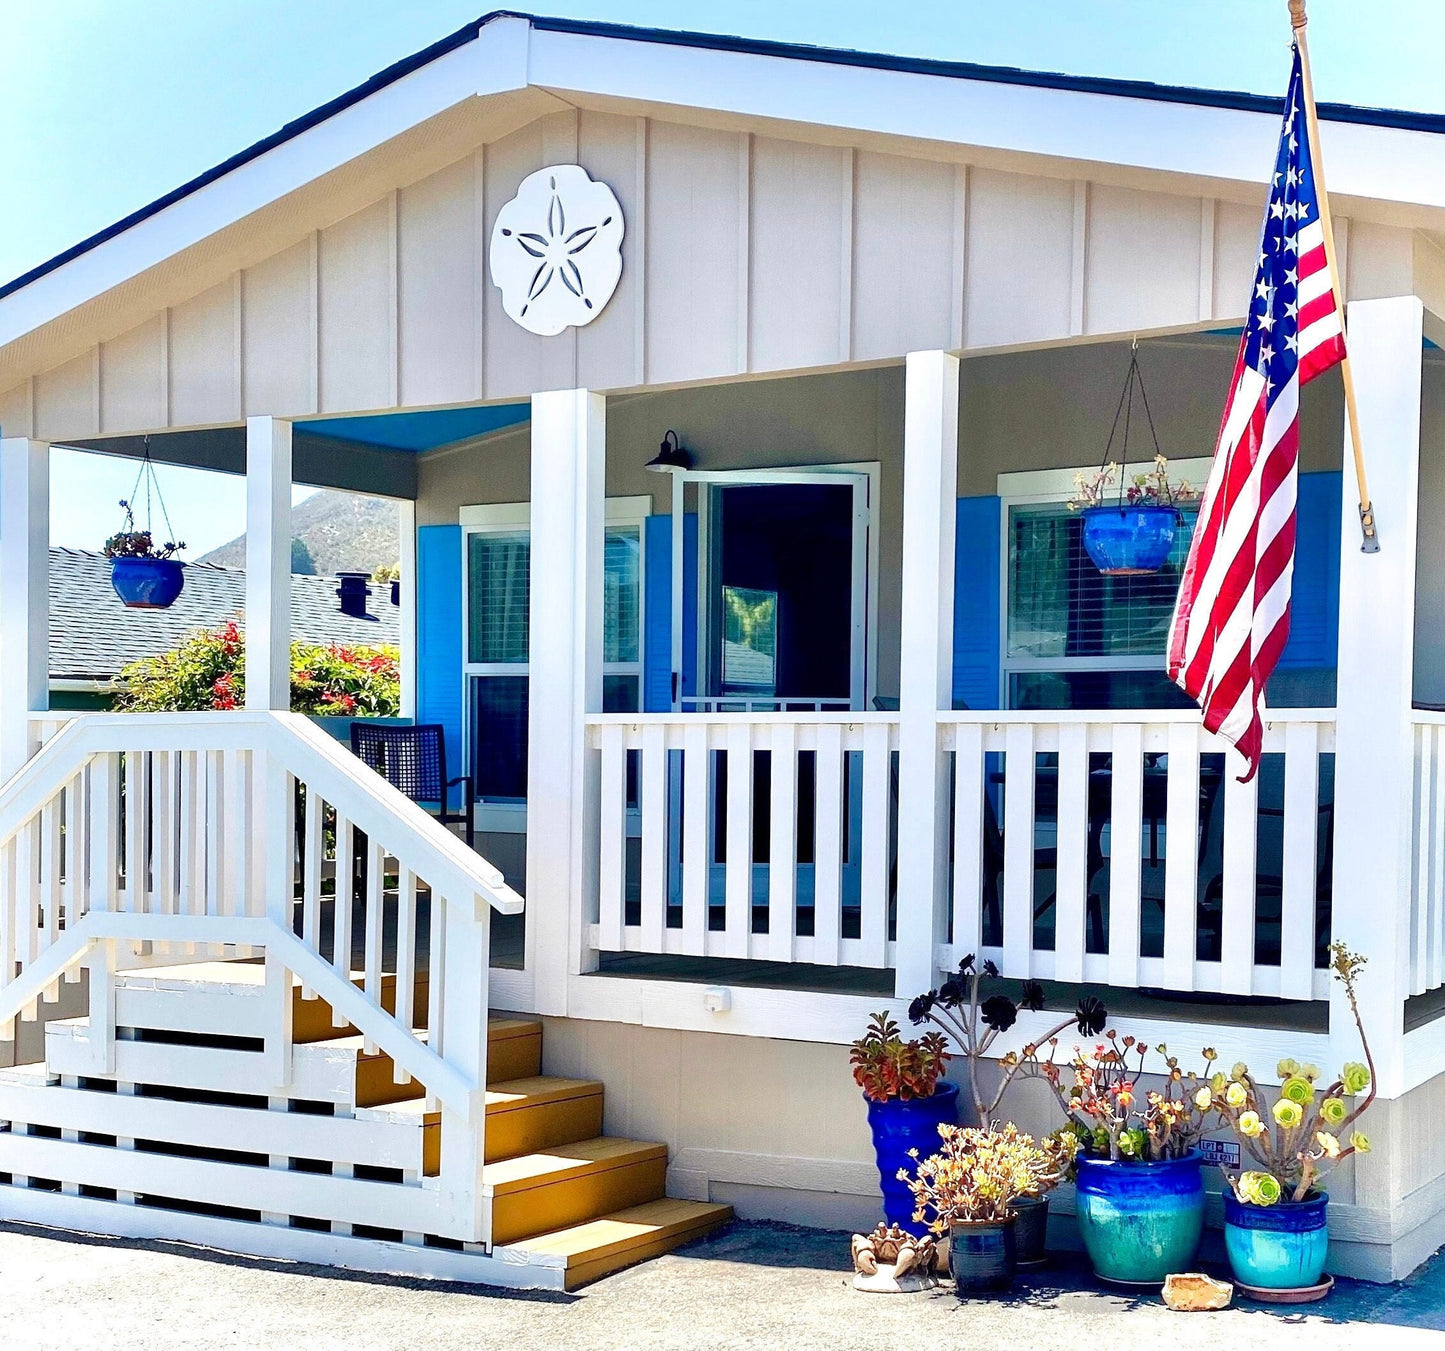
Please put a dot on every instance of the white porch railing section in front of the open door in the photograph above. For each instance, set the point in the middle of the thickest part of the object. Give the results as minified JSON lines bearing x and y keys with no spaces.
{"x":746,"y":836}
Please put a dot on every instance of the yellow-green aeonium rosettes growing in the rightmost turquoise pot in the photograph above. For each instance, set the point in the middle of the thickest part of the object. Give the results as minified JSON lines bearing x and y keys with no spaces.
{"x":1308,"y":1131}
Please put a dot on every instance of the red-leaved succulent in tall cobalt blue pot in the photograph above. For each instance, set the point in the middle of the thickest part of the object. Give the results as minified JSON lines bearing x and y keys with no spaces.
{"x":908,"y":1103}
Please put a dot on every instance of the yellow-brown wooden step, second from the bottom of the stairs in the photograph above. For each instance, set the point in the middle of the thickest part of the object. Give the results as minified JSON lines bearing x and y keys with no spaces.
{"x":573,"y":1184}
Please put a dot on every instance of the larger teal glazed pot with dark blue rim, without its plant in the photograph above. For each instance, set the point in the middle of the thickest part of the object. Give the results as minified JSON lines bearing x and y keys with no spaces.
{"x":1141,"y":1222}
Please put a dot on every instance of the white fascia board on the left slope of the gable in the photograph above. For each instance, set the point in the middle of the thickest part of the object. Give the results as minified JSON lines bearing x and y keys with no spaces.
{"x":492,"y":64}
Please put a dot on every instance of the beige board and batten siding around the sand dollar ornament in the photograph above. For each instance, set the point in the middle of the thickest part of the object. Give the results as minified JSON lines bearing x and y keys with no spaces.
{"x":745,"y":255}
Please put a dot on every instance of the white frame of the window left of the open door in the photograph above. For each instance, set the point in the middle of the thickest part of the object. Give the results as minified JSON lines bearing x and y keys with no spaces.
{"x":508,"y":519}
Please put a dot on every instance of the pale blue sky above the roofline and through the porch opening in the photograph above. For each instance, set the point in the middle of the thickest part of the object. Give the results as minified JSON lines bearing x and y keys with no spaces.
{"x":111,"y":105}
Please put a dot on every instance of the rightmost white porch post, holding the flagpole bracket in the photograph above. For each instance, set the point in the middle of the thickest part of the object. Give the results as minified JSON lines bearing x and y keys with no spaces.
{"x":1373,"y":743}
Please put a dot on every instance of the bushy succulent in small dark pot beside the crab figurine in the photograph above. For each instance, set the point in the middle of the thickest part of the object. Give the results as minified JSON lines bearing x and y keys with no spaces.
{"x":970,"y":1190}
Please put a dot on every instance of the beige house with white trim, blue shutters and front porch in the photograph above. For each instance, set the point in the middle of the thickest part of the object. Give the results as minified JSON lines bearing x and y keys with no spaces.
{"x":775,"y":732}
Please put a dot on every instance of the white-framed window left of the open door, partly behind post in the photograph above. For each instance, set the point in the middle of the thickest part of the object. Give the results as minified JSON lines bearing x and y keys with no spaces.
{"x":498,"y":547}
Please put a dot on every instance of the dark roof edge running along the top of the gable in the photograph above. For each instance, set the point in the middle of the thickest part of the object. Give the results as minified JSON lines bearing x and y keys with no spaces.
{"x":920,"y":66}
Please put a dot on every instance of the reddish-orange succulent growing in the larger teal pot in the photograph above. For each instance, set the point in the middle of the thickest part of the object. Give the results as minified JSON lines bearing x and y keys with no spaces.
{"x":1115,"y":1118}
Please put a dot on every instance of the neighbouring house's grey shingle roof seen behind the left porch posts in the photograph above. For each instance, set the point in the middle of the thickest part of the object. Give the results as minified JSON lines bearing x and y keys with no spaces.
{"x":93,"y":635}
